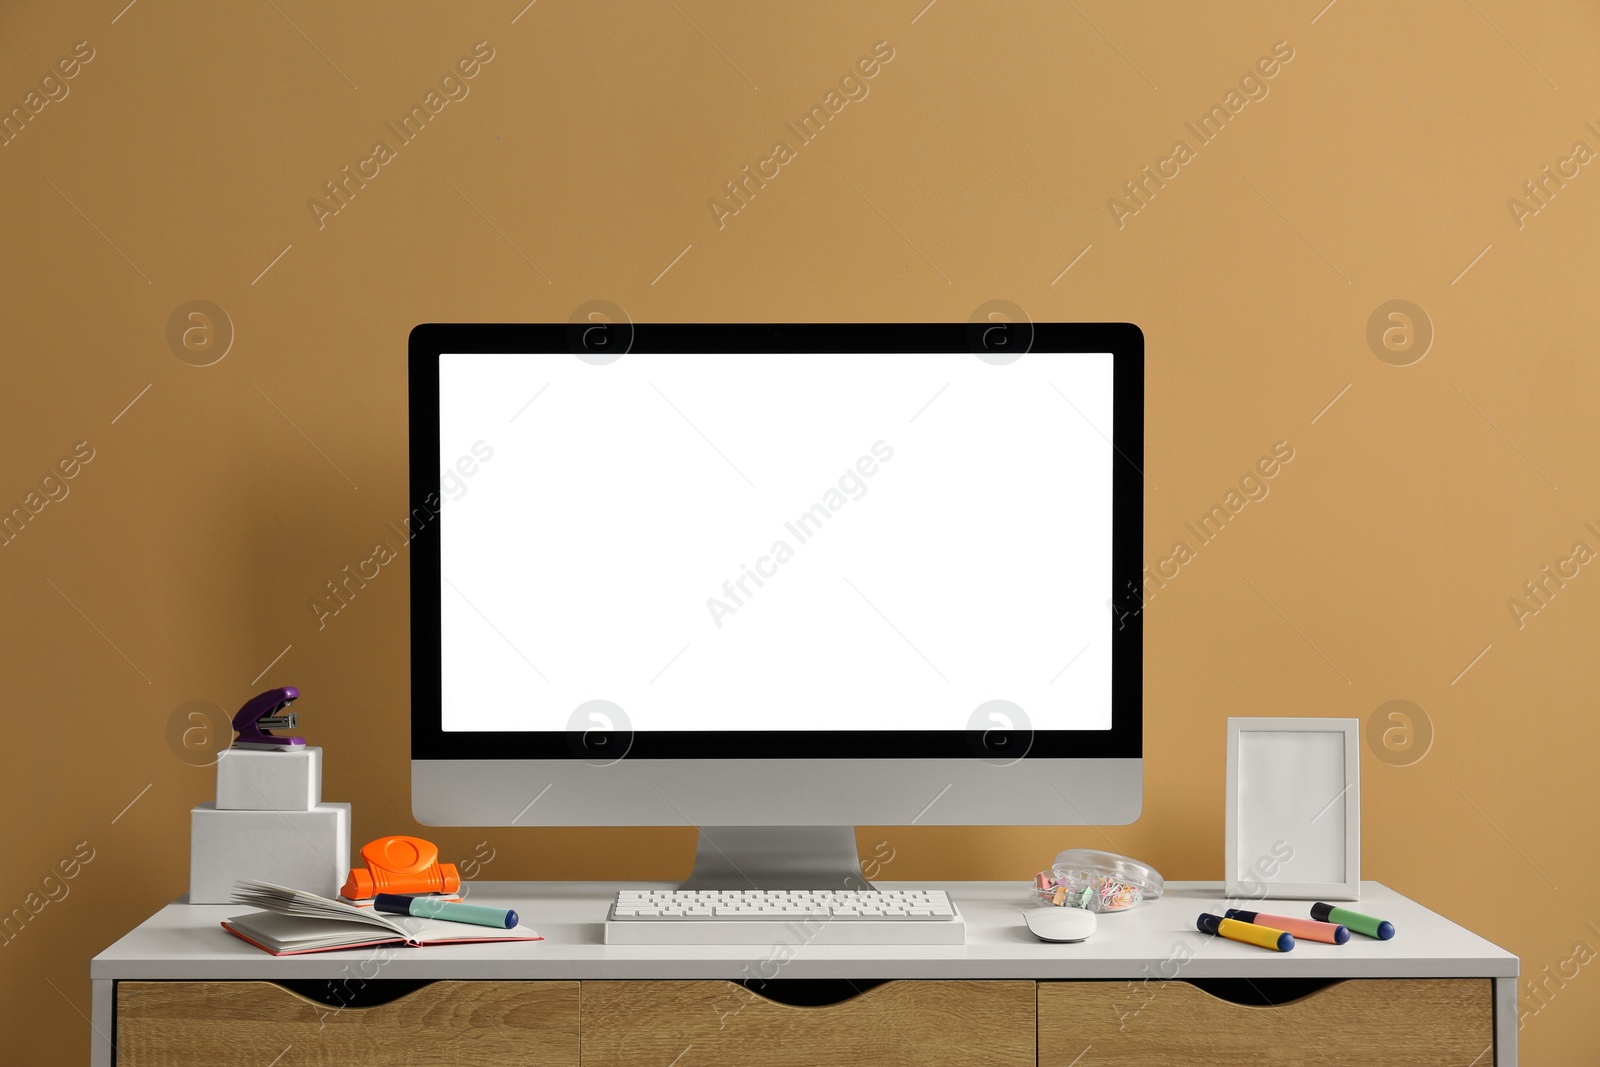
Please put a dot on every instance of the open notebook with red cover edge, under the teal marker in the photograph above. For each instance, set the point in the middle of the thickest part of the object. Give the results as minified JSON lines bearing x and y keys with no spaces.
{"x":295,"y":922}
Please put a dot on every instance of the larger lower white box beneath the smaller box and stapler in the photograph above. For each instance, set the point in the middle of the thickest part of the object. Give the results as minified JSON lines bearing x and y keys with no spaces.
{"x":303,"y":850}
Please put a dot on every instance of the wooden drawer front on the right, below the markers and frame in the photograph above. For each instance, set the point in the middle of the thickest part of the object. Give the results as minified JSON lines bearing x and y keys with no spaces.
{"x":1385,"y":1023}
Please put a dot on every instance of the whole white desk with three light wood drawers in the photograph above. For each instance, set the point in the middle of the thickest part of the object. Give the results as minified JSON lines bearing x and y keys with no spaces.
{"x":178,"y":991}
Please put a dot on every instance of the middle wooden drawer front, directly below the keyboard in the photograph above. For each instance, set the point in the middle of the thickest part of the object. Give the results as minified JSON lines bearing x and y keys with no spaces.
{"x":897,"y":1025}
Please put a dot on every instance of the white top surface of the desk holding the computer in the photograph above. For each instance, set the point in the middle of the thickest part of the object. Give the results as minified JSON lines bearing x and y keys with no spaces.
{"x":186,"y":941}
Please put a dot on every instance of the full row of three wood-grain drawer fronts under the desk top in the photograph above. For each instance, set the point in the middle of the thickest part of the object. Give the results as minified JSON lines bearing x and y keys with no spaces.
{"x":1391,"y":1023}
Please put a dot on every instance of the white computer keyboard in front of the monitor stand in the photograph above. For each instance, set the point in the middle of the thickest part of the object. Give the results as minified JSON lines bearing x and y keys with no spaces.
{"x":794,"y":917}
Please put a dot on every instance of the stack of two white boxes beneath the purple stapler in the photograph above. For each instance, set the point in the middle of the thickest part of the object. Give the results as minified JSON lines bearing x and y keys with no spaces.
{"x":270,"y":825}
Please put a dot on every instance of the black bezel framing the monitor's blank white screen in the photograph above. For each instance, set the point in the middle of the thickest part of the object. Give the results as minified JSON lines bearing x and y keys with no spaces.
{"x":1126,"y":738}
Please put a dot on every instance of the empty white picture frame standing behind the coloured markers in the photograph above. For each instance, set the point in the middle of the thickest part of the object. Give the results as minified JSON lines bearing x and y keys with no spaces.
{"x":1294,"y":810}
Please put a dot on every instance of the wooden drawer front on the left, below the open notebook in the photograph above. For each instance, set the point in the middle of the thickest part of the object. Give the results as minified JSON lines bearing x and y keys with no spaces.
{"x":177,"y":1025}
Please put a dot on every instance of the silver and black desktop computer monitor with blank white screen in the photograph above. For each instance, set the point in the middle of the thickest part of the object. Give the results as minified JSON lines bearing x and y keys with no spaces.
{"x":777,"y":581}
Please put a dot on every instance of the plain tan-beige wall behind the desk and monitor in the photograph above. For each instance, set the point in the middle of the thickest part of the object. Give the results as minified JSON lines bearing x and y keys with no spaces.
{"x":580,"y":167}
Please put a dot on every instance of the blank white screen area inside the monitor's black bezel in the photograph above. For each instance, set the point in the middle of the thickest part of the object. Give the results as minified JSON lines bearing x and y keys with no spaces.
{"x":959,"y":553}
